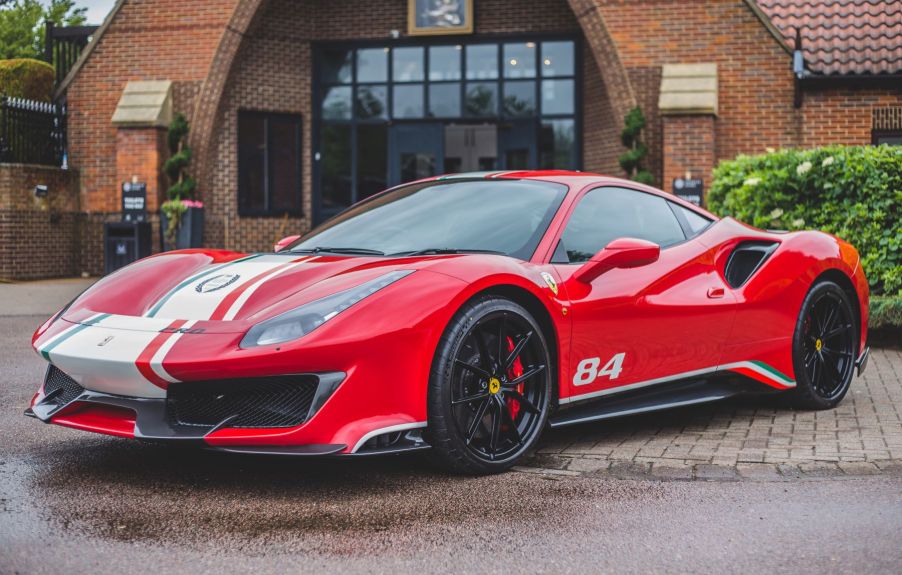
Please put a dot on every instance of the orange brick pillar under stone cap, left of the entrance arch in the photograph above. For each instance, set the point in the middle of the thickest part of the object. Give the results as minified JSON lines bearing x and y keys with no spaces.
{"x":140,"y":153}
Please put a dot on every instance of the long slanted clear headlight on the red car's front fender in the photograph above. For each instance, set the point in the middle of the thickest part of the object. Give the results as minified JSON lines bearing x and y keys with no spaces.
{"x":301,"y":321}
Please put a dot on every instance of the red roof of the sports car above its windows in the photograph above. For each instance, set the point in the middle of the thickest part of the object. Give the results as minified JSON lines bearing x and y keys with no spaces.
{"x":575,"y":181}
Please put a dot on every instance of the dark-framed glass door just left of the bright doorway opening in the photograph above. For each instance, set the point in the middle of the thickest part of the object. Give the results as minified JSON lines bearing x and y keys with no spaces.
{"x":415,"y":152}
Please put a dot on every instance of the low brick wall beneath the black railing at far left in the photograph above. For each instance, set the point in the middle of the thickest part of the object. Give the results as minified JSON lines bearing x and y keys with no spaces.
{"x":38,"y":237}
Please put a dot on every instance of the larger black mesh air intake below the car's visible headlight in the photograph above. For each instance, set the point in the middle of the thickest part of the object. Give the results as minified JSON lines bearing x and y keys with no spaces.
{"x":282,"y":401}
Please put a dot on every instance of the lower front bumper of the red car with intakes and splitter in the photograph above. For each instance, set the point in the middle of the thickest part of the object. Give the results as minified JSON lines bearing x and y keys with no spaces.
{"x":63,"y":402}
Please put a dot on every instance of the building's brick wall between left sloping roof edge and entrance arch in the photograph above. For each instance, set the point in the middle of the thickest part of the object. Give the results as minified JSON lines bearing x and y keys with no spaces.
{"x":148,"y":40}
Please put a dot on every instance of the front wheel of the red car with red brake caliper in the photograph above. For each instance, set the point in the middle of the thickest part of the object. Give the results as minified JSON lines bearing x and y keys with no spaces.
{"x":483,"y":418}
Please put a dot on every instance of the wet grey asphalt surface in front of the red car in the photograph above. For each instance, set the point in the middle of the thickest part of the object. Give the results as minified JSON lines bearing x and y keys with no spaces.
{"x":78,"y":503}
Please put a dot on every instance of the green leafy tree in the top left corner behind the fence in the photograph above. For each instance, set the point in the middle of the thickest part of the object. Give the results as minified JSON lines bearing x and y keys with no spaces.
{"x":22,"y":25}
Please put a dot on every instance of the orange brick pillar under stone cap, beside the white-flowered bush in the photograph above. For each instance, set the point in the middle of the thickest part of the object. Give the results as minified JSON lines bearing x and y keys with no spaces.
{"x":688,"y":147}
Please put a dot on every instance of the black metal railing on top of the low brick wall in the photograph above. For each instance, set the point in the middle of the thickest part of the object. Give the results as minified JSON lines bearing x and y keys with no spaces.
{"x":32,"y":132}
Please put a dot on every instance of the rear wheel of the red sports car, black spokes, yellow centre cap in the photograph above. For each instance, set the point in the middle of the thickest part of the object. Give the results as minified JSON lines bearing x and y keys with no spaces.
{"x":824,"y":347}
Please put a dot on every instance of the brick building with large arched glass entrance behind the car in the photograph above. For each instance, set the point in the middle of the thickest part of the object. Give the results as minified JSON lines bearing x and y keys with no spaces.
{"x":300,"y":107}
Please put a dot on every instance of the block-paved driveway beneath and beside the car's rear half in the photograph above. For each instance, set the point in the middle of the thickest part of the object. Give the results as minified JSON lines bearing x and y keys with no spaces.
{"x":744,"y":438}
